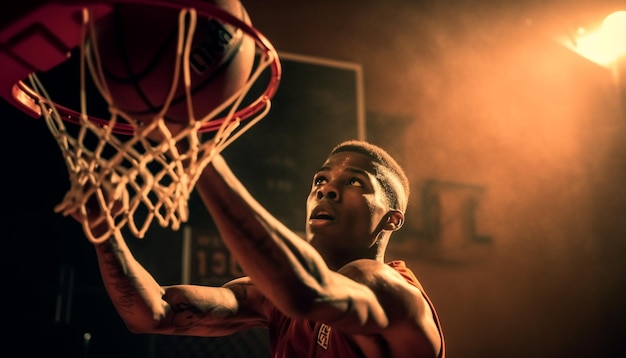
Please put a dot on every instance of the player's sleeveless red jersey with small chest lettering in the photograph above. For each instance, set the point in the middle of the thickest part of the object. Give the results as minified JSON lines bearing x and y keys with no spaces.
{"x":304,"y":339}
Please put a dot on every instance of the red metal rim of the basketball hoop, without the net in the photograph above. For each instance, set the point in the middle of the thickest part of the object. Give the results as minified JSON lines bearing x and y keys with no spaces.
{"x":24,"y":97}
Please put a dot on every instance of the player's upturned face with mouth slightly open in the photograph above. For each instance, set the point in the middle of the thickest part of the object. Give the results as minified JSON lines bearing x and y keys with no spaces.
{"x":346,"y":207}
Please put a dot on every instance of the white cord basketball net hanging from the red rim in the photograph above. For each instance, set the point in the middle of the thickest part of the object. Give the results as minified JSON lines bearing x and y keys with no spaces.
{"x":136,"y":180}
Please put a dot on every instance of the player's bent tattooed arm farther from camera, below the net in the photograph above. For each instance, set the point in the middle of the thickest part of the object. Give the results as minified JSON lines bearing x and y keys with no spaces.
{"x":147,"y":307}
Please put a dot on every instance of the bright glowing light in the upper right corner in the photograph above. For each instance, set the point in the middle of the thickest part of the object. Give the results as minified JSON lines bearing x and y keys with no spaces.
{"x":606,"y":44}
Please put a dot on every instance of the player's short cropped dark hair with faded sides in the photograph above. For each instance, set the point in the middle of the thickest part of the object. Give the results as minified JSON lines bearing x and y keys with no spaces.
{"x":391,"y":176}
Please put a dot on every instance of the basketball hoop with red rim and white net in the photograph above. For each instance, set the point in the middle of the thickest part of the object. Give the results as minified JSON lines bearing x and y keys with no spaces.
{"x":136,"y":167}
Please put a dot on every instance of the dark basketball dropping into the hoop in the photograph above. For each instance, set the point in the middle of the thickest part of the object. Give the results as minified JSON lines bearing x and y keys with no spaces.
{"x":137,"y":46}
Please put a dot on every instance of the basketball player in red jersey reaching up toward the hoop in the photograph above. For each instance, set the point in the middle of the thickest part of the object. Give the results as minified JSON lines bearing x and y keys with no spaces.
{"x":328,"y":295}
